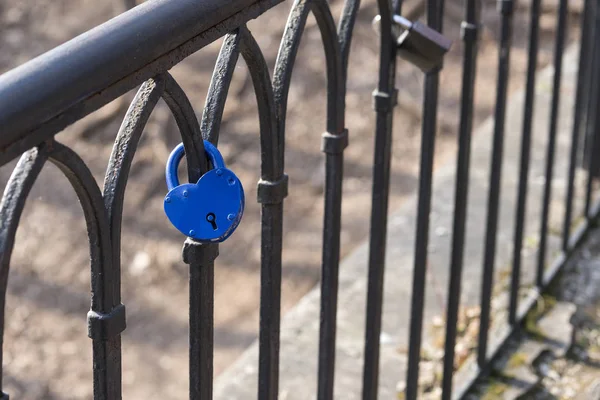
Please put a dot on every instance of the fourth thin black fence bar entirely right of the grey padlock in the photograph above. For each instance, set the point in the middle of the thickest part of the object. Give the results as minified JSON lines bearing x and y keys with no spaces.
{"x":555,"y":102}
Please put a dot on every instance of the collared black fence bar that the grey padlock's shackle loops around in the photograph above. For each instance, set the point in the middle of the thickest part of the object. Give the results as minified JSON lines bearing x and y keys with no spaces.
{"x":384,"y":100}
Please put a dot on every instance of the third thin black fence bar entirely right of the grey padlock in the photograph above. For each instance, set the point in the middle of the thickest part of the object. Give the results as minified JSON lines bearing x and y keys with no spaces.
{"x":528,"y":111}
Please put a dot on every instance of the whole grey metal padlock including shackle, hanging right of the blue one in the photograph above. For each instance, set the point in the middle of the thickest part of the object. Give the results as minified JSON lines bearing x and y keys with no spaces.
{"x":418,"y":43}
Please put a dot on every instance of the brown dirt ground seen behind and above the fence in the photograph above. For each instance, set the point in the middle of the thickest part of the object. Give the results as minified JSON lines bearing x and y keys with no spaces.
{"x":47,"y":352}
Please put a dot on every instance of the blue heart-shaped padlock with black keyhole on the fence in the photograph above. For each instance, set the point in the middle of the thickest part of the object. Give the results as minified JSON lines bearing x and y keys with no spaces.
{"x":209,"y":210}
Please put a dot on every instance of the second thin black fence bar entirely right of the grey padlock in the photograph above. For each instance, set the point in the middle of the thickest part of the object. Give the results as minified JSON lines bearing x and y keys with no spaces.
{"x":506,"y":9}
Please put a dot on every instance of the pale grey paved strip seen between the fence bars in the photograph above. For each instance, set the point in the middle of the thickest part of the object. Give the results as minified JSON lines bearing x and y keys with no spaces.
{"x":299,"y":336}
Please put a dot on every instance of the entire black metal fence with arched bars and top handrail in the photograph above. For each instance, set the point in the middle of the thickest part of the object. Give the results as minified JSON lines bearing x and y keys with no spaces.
{"x":42,"y":97}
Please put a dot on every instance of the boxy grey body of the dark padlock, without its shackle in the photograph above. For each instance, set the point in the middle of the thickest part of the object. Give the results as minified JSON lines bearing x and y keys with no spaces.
{"x":423,"y":46}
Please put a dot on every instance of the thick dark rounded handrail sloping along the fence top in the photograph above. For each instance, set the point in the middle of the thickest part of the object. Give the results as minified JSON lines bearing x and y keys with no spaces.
{"x":107,"y":61}
